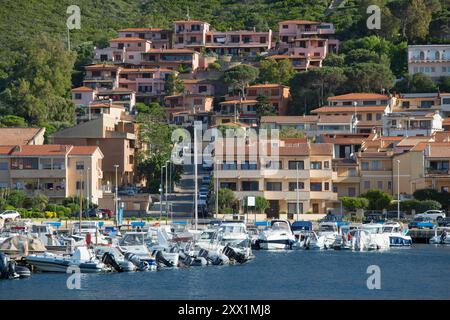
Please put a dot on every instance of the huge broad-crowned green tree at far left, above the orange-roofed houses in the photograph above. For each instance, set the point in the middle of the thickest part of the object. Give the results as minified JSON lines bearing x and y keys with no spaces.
{"x":40,"y":82}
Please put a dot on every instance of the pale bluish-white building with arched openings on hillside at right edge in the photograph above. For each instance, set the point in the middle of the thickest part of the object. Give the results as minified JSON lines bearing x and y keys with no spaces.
{"x":432,"y":60}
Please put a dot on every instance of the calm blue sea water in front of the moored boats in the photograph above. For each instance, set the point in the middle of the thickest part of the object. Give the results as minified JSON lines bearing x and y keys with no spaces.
{"x":420,"y":272}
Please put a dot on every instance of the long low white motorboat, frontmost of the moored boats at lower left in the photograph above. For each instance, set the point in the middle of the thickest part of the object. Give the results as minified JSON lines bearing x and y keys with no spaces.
{"x":83,"y":258}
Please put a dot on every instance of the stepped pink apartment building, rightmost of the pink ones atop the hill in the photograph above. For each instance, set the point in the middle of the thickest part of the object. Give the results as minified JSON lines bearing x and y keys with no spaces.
{"x":305,"y":43}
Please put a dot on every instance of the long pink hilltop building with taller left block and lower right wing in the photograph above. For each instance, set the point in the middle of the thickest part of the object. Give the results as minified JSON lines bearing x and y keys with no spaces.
{"x":198,"y":35}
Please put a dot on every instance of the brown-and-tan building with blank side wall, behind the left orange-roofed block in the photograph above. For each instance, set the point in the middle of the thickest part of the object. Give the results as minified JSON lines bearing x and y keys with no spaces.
{"x":116,"y":138}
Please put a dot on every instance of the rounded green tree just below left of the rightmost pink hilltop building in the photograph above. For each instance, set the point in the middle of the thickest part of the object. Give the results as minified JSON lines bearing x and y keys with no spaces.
{"x":273,"y":71}
